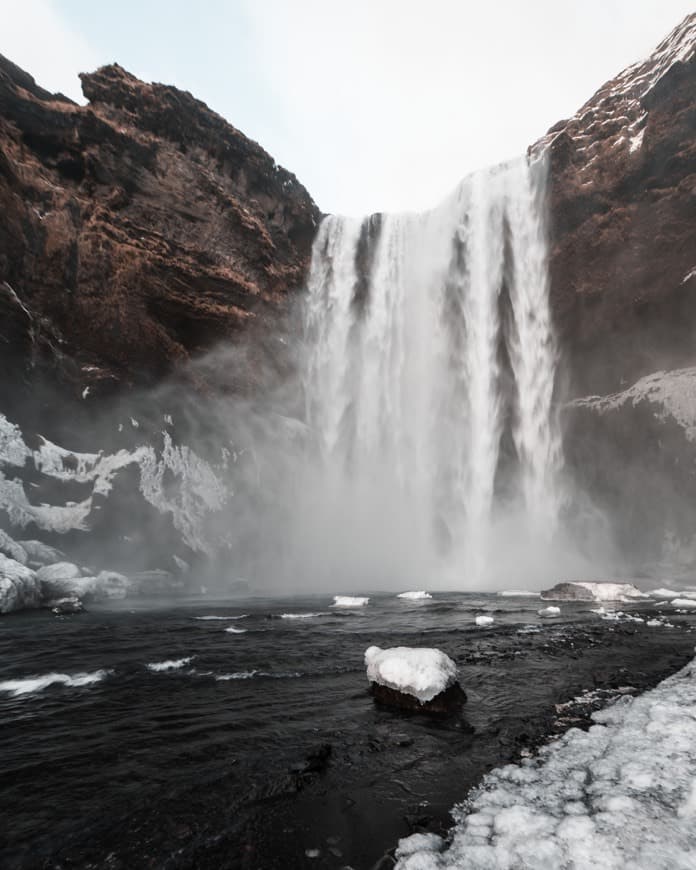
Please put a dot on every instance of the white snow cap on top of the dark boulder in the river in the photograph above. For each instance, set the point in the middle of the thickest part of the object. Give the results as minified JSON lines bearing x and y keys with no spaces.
{"x":421,"y":672}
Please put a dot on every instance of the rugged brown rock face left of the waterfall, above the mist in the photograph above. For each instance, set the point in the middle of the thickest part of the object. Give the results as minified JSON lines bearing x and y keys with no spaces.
{"x":137,"y":231}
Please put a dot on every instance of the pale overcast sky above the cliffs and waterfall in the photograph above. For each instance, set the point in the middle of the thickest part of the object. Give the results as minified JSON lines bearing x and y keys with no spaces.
{"x":373,"y":104}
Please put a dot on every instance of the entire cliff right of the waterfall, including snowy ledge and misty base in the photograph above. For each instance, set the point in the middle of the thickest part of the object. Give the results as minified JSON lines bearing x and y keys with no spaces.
{"x":623,"y":274}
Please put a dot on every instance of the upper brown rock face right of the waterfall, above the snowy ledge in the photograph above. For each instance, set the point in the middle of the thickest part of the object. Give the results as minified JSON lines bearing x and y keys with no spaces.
{"x":623,"y":222}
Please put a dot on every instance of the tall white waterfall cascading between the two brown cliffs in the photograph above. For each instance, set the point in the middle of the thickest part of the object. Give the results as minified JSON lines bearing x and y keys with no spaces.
{"x":430,"y":378}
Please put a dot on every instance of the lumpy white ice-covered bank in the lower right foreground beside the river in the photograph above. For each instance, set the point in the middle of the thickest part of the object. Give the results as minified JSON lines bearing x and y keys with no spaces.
{"x":621,"y":795}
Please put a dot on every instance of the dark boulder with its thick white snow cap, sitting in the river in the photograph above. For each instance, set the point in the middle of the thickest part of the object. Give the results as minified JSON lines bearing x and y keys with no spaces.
{"x":412,"y":678}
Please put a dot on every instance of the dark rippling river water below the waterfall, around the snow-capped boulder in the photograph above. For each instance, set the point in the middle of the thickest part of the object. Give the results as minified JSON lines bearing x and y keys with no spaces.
{"x":265,"y":743}
